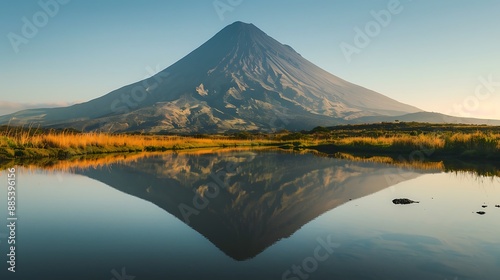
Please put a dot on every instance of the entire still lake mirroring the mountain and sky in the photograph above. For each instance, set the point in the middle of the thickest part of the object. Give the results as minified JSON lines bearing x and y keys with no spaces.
{"x":251,"y":215}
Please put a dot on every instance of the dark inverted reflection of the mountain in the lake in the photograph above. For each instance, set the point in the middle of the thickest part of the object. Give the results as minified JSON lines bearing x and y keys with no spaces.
{"x":266,"y":197}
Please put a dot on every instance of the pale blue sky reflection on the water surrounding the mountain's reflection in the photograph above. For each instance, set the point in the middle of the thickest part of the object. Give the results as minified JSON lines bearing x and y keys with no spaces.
{"x":73,"y":227}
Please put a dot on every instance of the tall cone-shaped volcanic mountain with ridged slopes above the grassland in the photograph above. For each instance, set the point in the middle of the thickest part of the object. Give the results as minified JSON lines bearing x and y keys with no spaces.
{"x":240,"y":79}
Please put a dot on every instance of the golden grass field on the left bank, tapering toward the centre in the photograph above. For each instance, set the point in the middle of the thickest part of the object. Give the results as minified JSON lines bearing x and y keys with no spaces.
{"x":38,"y":143}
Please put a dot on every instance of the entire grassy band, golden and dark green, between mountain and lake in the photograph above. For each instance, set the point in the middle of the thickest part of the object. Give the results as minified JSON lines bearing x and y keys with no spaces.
{"x":411,"y":141}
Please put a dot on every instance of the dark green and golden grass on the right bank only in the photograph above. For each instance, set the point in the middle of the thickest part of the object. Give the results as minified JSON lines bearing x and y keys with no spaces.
{"x":412,"y":139}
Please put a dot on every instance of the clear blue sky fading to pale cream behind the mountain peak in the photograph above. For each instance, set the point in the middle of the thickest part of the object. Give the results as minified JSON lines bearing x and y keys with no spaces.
{"x":430,"y":54}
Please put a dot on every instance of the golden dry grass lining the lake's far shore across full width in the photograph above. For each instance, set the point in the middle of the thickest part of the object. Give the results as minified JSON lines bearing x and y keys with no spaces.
{"x":30,"y":143}
